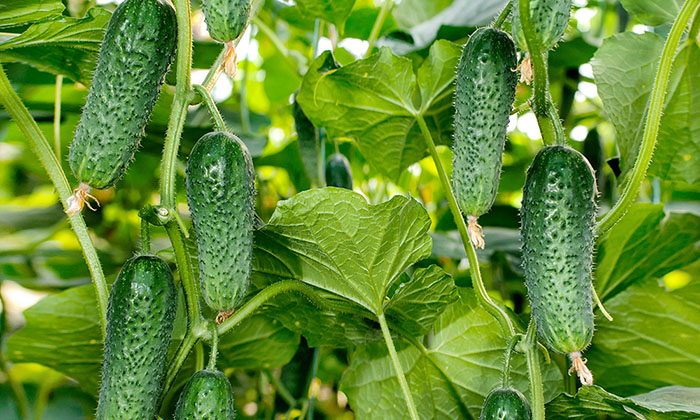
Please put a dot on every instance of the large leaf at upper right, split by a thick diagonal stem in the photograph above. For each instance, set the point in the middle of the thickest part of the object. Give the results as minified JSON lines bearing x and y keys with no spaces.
{"x":624,"y":68}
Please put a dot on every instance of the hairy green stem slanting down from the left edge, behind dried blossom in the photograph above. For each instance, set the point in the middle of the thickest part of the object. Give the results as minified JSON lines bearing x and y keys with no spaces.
{"x":40,"y":146}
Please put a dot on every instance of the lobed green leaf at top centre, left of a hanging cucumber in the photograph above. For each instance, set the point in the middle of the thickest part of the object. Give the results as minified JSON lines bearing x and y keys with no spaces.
{"x":374,"y":101}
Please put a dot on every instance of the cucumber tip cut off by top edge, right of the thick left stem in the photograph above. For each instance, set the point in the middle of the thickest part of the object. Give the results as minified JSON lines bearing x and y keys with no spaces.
{"x":226,"y":19}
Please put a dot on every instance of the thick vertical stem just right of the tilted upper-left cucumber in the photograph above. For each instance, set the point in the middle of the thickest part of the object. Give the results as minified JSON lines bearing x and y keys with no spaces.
{"x":178,"y":110}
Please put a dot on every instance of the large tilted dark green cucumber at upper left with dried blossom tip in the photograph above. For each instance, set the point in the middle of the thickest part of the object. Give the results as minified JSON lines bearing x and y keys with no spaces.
{"x":137,"y":50}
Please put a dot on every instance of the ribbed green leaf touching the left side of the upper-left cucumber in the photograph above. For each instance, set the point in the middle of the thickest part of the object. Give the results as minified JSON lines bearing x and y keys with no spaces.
{"x":65,"y":46}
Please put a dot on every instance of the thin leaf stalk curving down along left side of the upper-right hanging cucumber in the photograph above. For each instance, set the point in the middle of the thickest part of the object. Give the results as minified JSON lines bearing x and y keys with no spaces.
{"x":502,"y":318}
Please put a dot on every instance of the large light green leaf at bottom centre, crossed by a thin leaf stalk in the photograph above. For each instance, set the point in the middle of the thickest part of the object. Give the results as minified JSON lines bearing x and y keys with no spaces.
{"x":449,"y":379}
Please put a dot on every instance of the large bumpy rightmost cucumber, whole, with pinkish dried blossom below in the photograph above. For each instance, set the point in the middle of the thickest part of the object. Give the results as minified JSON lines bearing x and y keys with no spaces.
{"x":557,"y":232}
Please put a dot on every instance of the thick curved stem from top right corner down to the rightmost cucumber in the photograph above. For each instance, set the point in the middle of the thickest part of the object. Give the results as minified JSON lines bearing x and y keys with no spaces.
{"x":651,"y":128}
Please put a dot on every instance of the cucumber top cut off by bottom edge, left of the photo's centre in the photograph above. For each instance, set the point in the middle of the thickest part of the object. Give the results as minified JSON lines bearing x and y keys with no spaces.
{"x":207,"y":396}
